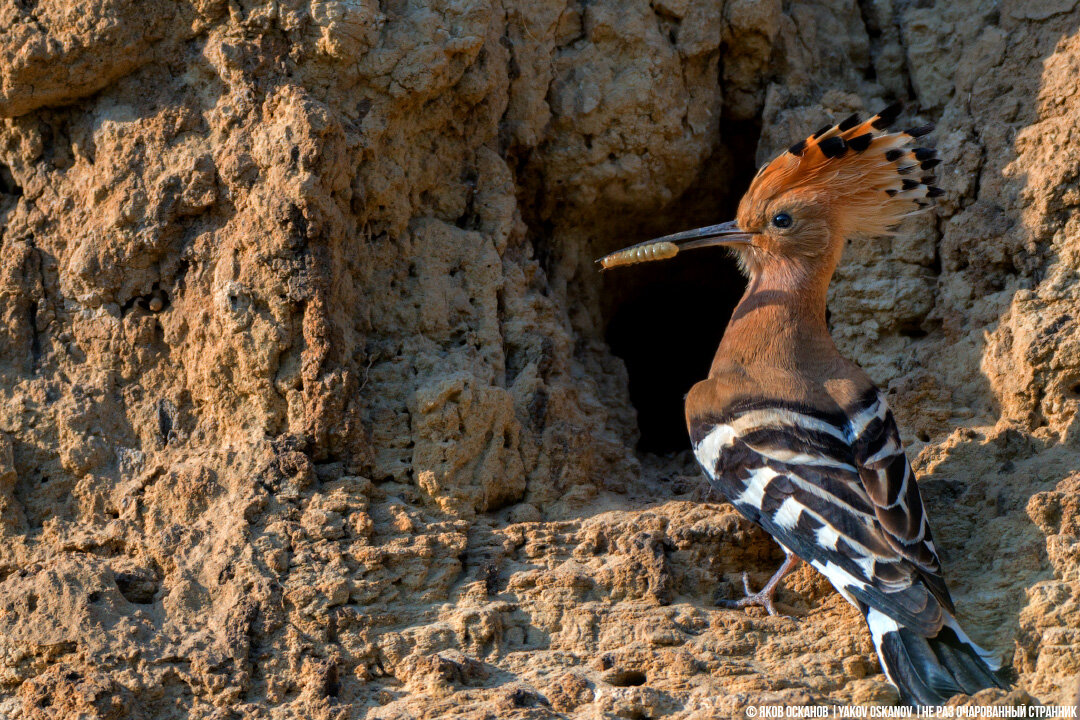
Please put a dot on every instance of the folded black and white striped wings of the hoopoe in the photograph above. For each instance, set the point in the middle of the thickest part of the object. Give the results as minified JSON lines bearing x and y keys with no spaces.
{"x":803,"y":474}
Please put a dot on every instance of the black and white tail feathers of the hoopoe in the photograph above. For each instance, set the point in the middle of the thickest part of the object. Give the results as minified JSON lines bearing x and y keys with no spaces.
{"x":930,"y":671}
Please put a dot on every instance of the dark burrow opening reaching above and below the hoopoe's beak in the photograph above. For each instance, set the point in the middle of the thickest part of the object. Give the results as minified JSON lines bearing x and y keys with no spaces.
{"x":665,"y":320}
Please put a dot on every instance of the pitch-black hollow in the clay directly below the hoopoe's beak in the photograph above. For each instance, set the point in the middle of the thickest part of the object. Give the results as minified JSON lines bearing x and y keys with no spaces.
{"x":666,"y":329}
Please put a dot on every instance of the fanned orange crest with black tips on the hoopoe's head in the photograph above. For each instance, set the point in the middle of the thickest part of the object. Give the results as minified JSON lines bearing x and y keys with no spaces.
{"x":871,"y":179}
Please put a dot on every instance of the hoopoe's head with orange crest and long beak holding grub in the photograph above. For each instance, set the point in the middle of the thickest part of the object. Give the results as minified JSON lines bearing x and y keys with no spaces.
{"x":854,"y":180}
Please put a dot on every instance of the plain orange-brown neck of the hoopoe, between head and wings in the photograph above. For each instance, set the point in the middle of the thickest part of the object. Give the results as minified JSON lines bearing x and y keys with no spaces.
{"x":780,"y":324}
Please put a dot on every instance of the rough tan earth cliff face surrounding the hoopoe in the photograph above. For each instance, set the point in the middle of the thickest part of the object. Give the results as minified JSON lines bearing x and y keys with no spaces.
{"x":309,"y":401}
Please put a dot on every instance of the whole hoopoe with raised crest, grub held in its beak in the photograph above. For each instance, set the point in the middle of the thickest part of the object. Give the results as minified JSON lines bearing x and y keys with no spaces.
{"x":795,"y":436}
